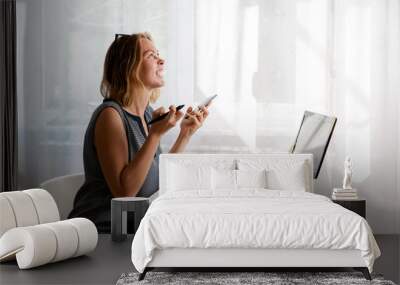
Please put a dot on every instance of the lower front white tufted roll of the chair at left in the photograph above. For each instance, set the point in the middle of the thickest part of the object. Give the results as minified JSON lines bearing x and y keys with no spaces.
{"x":40,"y":244}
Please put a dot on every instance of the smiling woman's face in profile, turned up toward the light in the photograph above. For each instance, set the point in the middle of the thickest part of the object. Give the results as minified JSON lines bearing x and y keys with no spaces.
{"x":151,"y":72}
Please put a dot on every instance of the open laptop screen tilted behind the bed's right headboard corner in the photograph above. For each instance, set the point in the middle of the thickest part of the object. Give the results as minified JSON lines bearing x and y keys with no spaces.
{"x":313,"y":137}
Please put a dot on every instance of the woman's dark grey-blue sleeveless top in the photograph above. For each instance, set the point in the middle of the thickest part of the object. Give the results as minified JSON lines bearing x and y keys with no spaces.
{"x":93,"y":200}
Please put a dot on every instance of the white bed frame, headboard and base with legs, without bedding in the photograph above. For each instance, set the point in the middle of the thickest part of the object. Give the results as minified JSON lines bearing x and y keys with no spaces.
{"x":248,"y":259}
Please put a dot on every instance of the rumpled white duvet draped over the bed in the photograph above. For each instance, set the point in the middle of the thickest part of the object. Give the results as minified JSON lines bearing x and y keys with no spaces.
{"x":251,"y":218}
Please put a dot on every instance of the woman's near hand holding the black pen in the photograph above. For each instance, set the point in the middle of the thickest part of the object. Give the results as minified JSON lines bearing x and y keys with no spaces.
{"x":161,"y":127}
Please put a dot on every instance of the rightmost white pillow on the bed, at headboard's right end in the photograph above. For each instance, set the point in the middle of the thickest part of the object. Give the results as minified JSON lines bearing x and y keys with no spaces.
{"x":288,"y":177}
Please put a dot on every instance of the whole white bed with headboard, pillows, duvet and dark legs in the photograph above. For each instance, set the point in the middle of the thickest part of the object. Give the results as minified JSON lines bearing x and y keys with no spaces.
{"x":229,"y":210}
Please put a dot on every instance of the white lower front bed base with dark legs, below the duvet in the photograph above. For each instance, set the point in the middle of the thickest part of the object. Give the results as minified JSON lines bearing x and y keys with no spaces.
{"x":260,"y":259}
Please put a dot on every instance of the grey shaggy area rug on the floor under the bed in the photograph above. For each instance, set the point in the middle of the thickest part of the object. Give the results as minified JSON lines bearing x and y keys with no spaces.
{"x":228,"y":278}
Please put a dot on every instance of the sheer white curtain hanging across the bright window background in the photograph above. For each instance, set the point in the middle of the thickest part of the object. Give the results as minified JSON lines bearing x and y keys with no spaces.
{"x":268,"y":61}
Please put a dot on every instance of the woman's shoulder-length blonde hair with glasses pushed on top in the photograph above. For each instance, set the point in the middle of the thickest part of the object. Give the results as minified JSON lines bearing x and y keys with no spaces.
{"x":121,"y":69}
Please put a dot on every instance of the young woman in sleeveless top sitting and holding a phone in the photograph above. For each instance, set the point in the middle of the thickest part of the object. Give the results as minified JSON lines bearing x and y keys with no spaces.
{"x":121,"y":151}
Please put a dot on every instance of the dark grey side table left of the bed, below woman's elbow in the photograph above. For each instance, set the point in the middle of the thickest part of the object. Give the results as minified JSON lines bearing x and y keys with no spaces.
{"x":119,"y":211}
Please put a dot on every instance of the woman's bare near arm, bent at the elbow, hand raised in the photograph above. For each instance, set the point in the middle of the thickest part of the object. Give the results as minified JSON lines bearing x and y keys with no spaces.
{"x":126,"y":178}
